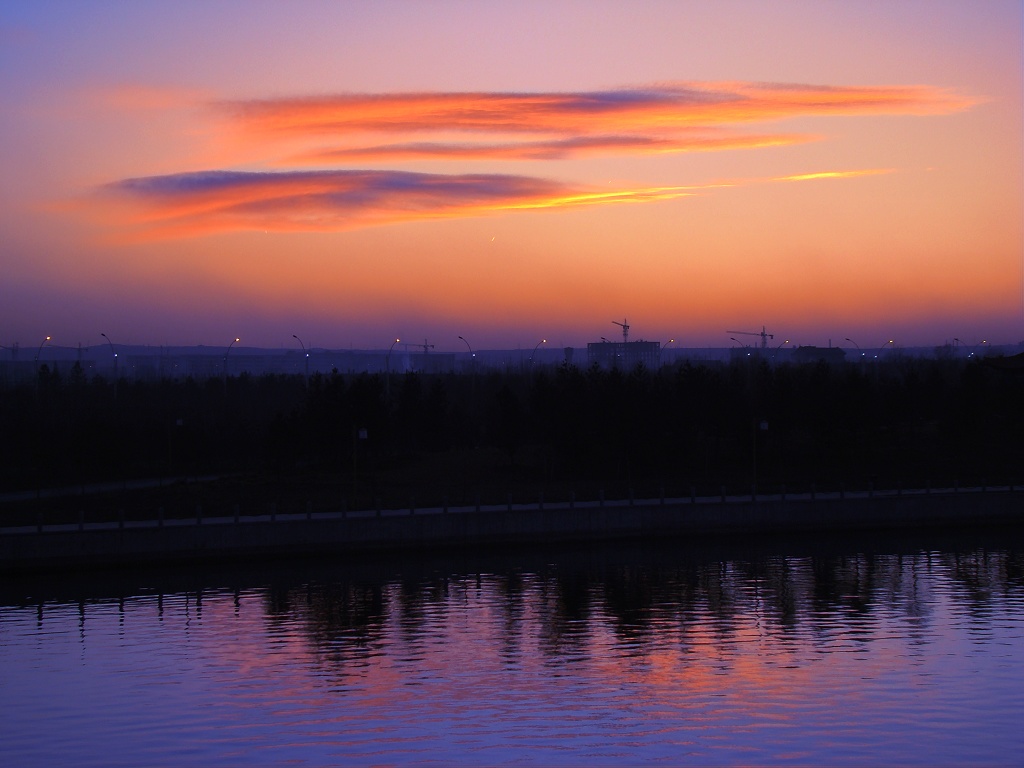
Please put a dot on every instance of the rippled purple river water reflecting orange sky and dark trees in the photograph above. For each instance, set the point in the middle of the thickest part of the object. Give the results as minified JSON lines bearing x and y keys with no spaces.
{"x":873,"y":652}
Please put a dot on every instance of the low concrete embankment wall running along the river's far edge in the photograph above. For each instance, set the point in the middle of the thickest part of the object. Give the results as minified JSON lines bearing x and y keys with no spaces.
{"x":367,"y":532}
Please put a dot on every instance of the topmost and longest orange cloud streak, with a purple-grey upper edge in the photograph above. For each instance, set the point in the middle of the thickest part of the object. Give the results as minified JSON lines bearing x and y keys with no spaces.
{"x":641,"y":111}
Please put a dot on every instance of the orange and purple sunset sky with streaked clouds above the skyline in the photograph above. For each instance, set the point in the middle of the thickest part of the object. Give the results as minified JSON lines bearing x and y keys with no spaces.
{"x":188,"y":174}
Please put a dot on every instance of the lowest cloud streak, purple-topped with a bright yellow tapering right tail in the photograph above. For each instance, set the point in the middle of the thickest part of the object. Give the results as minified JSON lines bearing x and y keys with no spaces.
{"x":192,"y":204}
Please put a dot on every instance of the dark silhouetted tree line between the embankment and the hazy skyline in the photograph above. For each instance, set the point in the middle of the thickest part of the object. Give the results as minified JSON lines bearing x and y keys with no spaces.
{"x":911,"y":421}
